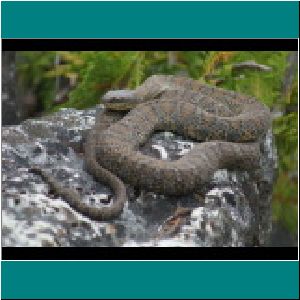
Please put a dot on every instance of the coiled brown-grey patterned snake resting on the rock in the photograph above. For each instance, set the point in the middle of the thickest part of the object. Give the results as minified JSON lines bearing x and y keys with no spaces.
{"x":228,"y":126}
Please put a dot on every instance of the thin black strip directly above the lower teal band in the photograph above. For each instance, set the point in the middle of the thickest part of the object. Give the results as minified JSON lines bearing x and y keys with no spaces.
{"x":150,"y":253}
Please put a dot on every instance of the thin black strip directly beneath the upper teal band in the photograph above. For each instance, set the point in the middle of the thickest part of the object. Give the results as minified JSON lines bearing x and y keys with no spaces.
{"x":149,"y":44}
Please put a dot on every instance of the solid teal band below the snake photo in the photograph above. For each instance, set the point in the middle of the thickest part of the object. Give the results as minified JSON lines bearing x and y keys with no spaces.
{"x":146,"y":279}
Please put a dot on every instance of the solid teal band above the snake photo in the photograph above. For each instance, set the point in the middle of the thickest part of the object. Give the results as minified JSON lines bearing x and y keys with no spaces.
{"x":182,"y":19}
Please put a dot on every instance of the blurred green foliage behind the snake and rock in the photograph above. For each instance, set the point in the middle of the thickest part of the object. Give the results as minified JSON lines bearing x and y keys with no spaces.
{"x":92,"y":73}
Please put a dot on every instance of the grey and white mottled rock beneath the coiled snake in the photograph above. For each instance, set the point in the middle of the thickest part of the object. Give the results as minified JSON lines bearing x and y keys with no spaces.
{"x":234,"y":209}
